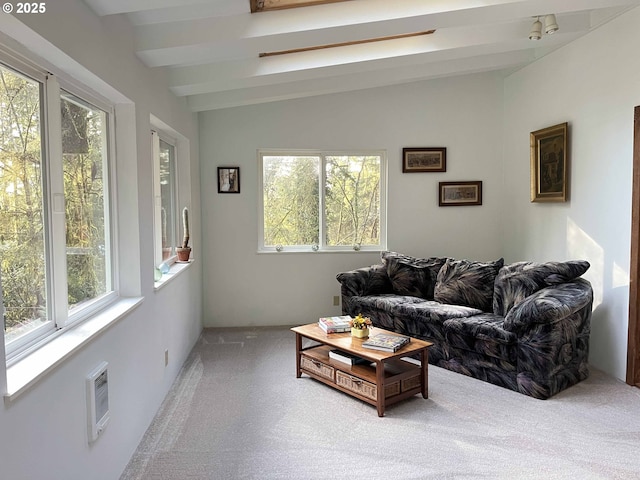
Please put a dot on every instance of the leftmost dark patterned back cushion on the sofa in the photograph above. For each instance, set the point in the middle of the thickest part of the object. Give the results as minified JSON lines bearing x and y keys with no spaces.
{"x":412,"y":276}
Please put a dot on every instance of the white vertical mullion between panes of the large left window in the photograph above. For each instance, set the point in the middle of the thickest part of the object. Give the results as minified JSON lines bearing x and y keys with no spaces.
{"x":56,"y":204}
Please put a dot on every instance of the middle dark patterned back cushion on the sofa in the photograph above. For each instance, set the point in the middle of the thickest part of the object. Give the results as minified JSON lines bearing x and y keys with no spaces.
{"x":469,"y":283}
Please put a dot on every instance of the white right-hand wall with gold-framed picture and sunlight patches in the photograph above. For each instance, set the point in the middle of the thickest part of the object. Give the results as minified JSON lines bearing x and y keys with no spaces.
{"x":594,"y":84}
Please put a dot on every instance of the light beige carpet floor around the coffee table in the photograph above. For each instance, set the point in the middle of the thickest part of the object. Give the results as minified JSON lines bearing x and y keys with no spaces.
{"x":237,"y":411}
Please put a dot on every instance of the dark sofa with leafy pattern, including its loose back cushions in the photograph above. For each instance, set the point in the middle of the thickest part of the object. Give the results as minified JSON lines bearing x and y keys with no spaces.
{"x":523,"y":326}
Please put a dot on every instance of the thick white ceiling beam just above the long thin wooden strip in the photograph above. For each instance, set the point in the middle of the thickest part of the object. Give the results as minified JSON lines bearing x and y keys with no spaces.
{"x":207,"y":40}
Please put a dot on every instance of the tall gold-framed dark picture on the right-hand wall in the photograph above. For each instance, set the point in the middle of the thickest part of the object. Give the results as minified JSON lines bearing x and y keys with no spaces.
{"x":549,"y":164}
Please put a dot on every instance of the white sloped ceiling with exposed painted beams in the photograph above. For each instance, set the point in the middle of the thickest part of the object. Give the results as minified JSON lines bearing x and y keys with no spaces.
{"x":210,"y":47}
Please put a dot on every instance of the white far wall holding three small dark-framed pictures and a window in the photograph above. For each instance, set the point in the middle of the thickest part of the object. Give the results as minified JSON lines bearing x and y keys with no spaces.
{"x":463,"y":114}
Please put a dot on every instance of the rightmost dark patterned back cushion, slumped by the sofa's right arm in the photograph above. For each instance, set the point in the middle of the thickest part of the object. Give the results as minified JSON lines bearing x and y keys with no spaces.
{"x":517,"y":281}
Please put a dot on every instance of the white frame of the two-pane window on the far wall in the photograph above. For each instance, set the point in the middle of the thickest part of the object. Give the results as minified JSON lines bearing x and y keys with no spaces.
{"x":322,"y":246}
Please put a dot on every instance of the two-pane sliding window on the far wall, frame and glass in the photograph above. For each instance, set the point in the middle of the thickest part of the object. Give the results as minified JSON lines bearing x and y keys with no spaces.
{"x":322,"y":201}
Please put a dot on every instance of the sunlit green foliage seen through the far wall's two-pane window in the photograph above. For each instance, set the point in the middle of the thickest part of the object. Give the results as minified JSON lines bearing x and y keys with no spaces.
{"x":292,"y":200}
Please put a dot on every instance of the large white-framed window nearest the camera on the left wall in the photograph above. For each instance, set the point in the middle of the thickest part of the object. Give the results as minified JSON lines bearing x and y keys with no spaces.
{"x":55,"y":228}
